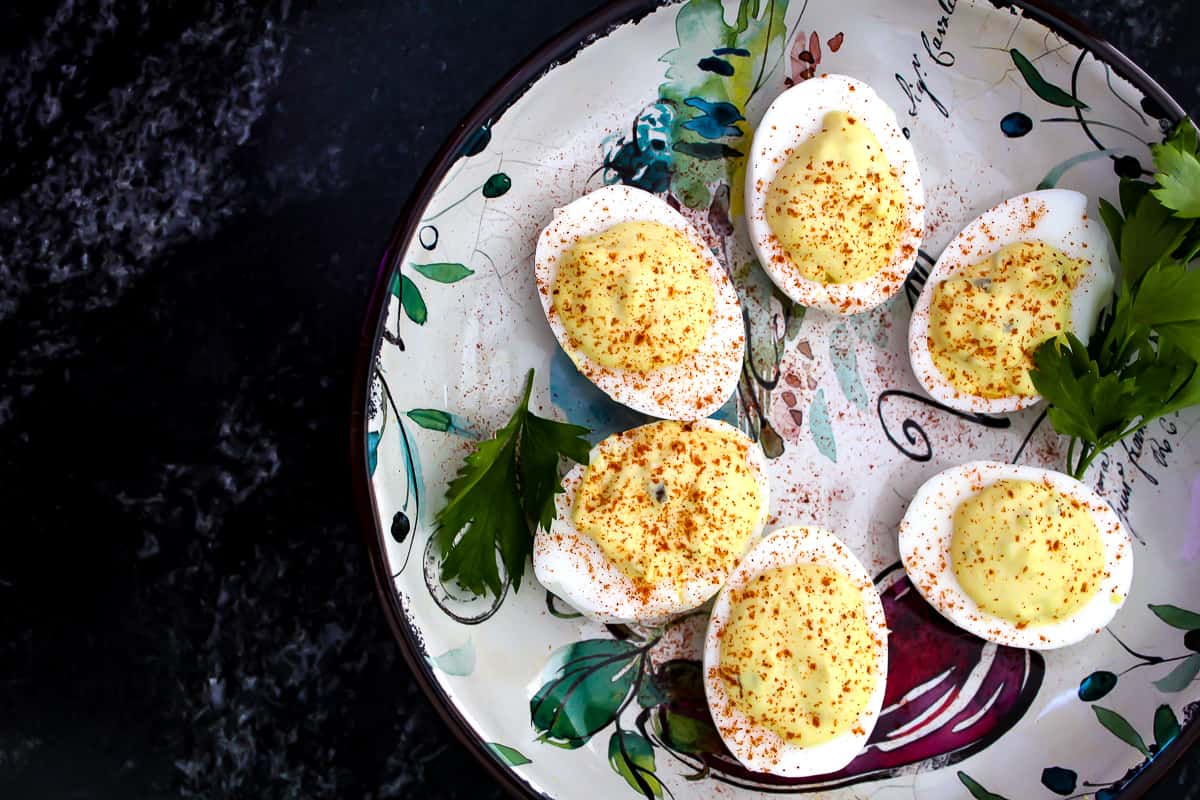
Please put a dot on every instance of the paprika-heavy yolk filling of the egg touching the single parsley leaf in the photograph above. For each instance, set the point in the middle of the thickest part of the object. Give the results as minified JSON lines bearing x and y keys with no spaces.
{"x":670,"y":502}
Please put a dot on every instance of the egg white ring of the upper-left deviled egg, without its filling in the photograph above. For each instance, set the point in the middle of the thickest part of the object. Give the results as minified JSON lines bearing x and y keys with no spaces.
{"x":697,"y":387}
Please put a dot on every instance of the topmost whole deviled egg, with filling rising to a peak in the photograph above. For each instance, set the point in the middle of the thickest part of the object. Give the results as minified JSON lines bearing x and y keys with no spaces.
{"x":835,"y":202}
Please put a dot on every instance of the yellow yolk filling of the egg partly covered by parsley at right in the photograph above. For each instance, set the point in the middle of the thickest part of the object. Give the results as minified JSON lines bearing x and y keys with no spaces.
{"x":986,"y":322}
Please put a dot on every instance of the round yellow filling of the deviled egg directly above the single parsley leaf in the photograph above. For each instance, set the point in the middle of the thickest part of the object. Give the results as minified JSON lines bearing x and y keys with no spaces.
{"x":637,"y":297}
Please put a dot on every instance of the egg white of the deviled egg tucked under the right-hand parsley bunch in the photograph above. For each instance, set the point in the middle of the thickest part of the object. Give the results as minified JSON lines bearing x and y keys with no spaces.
{"x":1058,"y":218}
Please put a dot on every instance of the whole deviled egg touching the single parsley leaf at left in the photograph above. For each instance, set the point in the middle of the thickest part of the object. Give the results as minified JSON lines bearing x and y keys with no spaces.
{"x":656,"y":522}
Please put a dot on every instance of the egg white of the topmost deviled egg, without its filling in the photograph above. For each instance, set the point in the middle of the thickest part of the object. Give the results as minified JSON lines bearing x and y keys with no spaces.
{"x":796,"y":117}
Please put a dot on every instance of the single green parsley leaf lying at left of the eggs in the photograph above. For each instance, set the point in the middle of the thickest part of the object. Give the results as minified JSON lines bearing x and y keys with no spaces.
{"x":503,"y":491}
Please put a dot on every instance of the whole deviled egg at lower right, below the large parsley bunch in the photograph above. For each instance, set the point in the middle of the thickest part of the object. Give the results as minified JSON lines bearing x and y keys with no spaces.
{"x":1016,"y":555}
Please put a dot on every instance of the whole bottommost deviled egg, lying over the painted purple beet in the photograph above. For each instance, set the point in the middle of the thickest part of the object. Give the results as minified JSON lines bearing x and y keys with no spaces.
{"x":796,"y":655}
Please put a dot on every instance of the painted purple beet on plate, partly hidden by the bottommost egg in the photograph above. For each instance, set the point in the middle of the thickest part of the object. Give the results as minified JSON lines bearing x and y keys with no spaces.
{"x":949,"y":696}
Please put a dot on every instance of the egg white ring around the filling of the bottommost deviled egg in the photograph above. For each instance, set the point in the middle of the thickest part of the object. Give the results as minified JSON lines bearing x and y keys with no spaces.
{"x":764,"y":750}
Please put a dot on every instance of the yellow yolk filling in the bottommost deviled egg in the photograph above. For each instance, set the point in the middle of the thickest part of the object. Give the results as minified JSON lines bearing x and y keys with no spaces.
{"x":797,"y":654}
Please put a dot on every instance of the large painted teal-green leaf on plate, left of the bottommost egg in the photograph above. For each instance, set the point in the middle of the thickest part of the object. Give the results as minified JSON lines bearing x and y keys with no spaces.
{"x":584,"y":687}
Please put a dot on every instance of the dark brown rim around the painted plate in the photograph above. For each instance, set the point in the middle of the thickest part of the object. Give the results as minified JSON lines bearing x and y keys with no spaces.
{"x":555,"y":52}
